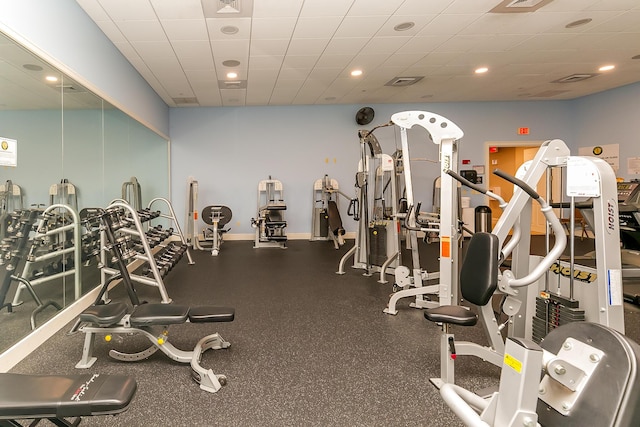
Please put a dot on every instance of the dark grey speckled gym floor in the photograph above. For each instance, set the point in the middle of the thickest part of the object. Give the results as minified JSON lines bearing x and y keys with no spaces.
{"x":308,"y":347}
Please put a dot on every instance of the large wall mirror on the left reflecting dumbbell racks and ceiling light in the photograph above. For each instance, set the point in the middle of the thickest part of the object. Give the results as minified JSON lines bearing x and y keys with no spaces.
{"x":60,"y":144}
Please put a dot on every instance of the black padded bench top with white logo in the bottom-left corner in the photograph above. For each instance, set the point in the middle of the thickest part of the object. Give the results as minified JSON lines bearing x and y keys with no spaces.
{"x":59,"y":396}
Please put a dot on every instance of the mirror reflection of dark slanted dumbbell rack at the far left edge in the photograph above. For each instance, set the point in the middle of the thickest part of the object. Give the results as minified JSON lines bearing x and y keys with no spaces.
{"x":12,"y":251}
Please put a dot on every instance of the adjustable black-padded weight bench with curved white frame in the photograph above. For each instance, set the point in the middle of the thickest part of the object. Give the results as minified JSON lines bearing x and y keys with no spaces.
{"x":152,"y":321}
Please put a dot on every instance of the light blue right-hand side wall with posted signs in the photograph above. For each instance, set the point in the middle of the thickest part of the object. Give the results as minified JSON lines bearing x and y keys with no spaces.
{"x":611,"y":117}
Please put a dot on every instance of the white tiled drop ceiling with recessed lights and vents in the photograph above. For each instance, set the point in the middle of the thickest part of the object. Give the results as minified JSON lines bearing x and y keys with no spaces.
{"x":297,"y":52}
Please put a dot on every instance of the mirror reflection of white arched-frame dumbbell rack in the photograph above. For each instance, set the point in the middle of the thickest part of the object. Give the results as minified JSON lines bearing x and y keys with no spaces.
{"x":55,"y":250}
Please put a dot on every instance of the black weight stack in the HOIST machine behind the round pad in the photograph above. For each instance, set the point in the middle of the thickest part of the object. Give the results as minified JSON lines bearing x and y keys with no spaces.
{"x":553,"y":311}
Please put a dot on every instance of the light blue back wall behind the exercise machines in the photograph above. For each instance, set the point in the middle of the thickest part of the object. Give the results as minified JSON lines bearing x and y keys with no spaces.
{"x":229,"y":150}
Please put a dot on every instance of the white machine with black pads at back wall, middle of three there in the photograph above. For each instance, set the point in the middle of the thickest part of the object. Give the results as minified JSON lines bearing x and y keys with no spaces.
{"x":270,"y":223}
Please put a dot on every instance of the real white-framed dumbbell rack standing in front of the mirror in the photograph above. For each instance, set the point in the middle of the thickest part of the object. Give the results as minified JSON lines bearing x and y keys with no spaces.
{"x":127,"y":226}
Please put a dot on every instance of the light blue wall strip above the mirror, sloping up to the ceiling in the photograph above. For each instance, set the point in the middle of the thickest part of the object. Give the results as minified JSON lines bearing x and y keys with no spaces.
{"x":60,"y":32}
